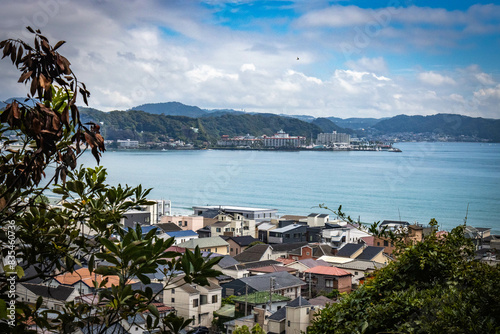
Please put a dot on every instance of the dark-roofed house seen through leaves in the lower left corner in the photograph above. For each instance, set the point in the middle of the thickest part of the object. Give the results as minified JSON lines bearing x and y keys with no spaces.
{"x":54,"y":298}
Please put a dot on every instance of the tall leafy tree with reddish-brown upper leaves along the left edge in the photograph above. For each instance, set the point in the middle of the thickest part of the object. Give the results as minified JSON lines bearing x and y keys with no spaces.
{"x":46,"y":241}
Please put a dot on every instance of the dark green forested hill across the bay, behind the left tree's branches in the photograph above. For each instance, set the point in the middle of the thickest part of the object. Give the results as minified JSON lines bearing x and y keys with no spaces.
{"x":139,"y":125}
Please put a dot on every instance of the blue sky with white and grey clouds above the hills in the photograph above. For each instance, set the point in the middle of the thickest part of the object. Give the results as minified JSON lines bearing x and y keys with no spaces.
{"x":308,"y":57}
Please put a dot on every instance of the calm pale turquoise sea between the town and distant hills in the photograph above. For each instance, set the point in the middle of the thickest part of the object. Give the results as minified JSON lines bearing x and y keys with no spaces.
{"x":426,"y":180}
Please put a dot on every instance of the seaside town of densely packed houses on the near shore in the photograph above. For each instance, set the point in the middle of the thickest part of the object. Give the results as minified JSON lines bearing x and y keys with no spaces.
{"x":277,"y":271}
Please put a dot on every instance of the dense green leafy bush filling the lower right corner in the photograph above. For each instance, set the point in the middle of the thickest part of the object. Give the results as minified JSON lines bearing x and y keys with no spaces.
{"x":434,"y":286}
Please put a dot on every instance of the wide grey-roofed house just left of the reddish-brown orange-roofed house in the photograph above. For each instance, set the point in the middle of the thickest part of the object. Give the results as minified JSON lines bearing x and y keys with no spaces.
{"x":279,"y":282}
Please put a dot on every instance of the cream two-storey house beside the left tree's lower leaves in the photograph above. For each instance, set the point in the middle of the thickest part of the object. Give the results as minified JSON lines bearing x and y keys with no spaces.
{"x":193,"y":301}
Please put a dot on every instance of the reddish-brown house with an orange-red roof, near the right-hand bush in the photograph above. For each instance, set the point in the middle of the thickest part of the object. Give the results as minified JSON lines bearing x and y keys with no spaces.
{"x":325,"y":278}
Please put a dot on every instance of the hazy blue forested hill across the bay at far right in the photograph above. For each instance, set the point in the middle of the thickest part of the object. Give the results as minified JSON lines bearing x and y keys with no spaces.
{"x":445,"y":124}
